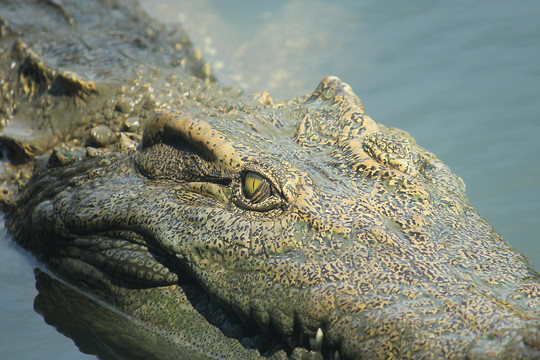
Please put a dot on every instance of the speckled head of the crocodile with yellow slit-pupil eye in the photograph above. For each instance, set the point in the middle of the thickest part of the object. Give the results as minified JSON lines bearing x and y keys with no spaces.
{"x":307,"y":219}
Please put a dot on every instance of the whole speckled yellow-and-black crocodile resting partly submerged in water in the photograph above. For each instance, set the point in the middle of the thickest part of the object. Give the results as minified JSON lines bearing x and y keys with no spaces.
{"x":230,"y":226}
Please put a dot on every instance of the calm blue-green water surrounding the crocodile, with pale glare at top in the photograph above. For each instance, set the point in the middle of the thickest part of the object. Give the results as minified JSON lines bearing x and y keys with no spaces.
{"x":463,"y":78}
